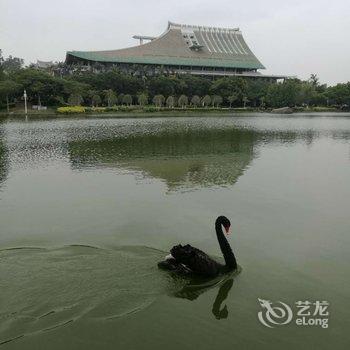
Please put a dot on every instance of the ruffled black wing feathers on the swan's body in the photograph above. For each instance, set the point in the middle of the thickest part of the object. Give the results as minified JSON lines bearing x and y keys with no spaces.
{"x":195,"y":260}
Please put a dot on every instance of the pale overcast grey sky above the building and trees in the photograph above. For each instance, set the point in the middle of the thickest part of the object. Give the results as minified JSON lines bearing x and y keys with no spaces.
{"x":290,"y":37}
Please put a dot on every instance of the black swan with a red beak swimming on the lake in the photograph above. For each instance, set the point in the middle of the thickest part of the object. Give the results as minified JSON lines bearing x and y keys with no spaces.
{"x":189,"y":260}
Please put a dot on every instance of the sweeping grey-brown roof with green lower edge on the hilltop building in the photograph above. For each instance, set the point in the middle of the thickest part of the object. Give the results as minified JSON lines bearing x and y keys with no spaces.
{"x":183,"y":45}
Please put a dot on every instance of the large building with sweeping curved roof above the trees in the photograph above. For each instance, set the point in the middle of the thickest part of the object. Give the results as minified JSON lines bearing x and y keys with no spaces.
{"x":181,"y":49}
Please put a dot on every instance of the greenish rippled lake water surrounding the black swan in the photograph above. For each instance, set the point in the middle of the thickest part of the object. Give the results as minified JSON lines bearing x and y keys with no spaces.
{"x":88,"y":207}
